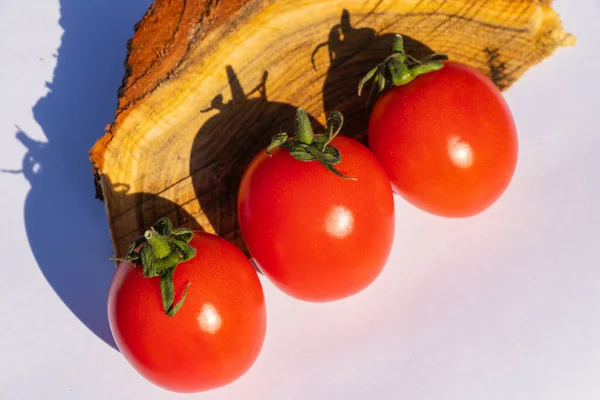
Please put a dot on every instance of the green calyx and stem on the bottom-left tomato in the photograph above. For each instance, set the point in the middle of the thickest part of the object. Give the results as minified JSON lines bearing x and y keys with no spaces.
{"x":162,"y":249}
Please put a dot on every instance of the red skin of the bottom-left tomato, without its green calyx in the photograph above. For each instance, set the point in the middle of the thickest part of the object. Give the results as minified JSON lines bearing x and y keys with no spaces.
{"x":216,"y":335}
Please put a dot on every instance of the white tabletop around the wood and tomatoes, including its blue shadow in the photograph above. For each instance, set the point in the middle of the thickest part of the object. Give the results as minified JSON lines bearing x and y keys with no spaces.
{"x":504,"y":306}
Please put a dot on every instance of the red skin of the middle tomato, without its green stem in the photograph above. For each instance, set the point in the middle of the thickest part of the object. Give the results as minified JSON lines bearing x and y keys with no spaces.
{"x":316,"y":236}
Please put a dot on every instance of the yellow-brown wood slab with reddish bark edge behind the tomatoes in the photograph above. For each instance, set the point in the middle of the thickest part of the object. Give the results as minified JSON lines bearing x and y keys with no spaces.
{"x":208,"y":82}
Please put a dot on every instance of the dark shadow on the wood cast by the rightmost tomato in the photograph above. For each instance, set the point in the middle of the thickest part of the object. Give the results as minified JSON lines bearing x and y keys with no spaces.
{"x":353,"y":52}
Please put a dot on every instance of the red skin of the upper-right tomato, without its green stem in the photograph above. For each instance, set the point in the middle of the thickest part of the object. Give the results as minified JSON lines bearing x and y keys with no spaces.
{"x":447,"y":140}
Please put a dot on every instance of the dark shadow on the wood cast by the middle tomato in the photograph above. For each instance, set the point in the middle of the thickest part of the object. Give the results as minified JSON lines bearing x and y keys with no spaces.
{"x":227,"y":142}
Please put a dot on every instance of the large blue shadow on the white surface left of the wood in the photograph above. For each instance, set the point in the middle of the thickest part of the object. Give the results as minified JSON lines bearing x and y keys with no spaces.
{"x":66,"y":226}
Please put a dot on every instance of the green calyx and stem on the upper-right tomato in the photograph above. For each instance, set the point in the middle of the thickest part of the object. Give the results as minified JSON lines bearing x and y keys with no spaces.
{"x":402,"y":68}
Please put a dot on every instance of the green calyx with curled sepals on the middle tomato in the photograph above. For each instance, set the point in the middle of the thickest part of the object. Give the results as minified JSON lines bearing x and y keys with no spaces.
{"x":306,"y":146}
